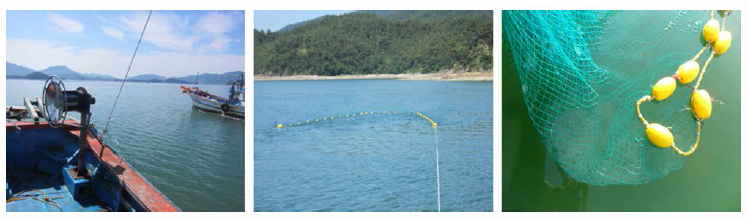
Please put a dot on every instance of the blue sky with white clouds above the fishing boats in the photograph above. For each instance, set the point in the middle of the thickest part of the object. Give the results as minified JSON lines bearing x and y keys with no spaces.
{"x":176,"y":43}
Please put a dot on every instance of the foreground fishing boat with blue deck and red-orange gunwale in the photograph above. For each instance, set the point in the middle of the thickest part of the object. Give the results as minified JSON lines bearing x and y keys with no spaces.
{"x":40,"y":163}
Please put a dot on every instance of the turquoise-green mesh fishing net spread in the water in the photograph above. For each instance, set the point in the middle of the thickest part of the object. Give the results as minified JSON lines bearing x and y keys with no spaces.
{"x":581,"y":73}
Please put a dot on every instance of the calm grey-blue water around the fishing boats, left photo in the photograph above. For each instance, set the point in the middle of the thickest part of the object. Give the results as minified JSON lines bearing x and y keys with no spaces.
{"x":194,"y":158}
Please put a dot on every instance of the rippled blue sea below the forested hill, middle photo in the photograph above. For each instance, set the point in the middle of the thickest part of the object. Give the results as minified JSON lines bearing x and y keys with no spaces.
{"x":374,"y":162}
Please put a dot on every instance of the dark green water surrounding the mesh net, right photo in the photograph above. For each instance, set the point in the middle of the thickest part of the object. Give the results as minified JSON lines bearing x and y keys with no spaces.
{"x":710,"y":180}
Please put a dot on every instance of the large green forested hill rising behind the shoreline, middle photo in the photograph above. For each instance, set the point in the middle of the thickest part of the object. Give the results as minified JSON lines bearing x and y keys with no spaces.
{"x":378,"y":42}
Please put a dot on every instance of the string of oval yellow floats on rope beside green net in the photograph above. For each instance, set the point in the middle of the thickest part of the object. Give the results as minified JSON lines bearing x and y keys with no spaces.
{"x":701,"y":103}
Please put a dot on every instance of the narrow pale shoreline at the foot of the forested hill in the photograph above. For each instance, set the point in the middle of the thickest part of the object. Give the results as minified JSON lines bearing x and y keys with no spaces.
{"x":467,"y":76}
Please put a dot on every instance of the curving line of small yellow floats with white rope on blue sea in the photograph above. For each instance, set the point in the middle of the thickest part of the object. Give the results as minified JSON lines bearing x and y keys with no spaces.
{"x":434,"y":125}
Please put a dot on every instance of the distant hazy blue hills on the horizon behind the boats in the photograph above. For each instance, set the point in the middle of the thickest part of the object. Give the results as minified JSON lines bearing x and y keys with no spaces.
{"x":14,"y":71}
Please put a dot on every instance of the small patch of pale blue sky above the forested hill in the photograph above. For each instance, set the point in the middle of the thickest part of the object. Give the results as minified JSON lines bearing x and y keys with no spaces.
{"x":277,"y":19}
